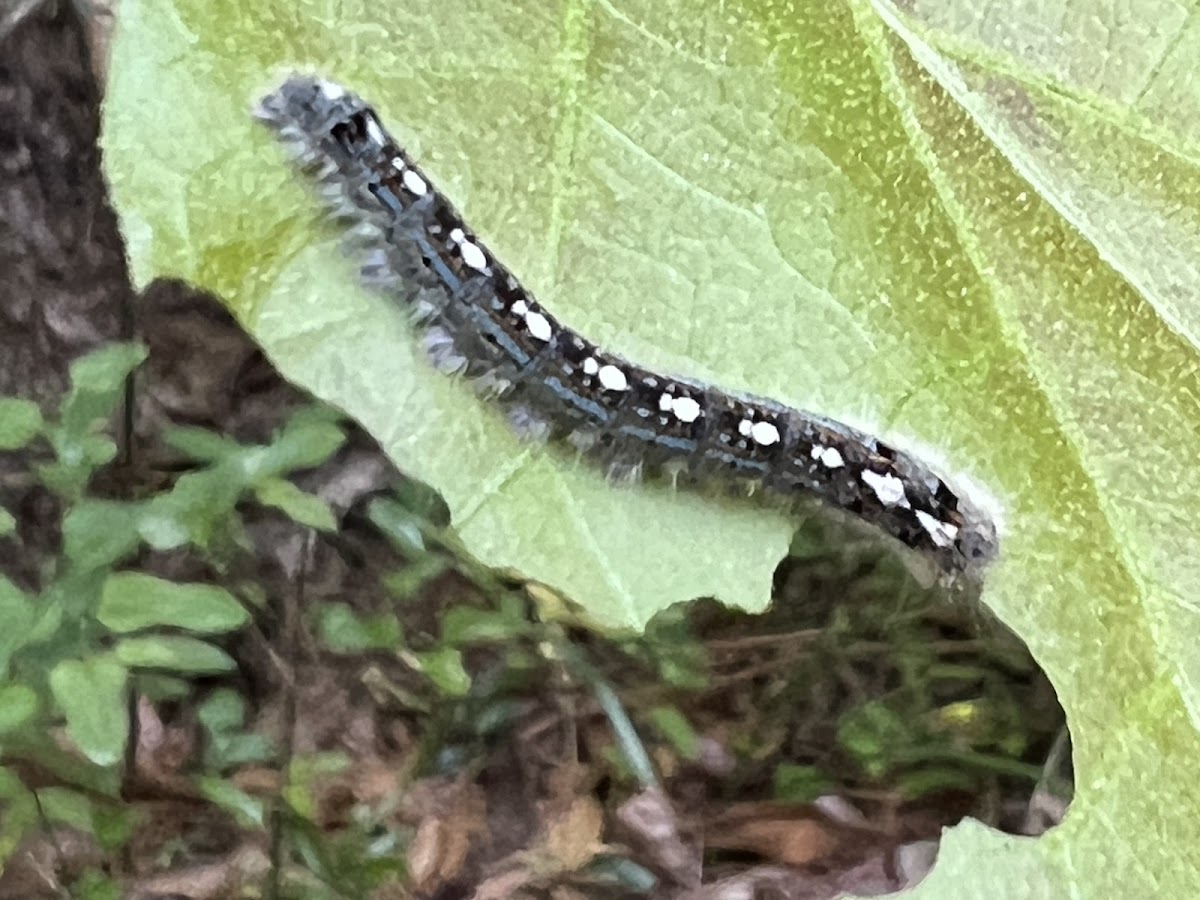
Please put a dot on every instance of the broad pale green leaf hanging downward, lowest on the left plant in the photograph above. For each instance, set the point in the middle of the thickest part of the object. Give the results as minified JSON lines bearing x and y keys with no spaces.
{"x":92,"y":695}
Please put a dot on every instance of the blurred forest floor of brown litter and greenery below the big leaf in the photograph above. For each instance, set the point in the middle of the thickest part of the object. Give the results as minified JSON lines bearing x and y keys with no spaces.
{"x":405,"y":723}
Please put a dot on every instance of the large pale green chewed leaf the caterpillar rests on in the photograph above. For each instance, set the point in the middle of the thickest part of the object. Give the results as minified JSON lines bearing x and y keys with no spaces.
{"x":910,"y":215}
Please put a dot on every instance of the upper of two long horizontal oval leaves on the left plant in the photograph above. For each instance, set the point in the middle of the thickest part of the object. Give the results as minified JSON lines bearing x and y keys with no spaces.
{"x":131,"y":602}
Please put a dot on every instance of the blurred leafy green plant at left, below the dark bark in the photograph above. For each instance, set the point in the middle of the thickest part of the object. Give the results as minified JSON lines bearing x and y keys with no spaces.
{"x":93,"y":631}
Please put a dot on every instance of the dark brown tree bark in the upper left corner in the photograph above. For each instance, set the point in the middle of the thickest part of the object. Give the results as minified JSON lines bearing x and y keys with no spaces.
{"x":64,"y":286}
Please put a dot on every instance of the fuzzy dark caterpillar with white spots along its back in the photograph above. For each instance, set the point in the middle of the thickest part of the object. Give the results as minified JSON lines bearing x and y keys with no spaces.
{"x":478,"y":321}
